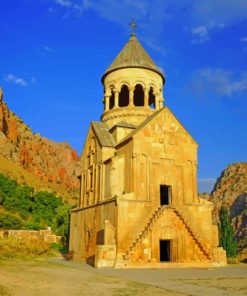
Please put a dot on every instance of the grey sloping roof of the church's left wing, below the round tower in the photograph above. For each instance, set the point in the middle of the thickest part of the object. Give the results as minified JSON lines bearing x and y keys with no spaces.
{"x":102,"y":133}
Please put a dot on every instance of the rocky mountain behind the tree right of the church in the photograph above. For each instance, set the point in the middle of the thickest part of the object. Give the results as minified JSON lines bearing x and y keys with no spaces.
{"x":230,"y":190}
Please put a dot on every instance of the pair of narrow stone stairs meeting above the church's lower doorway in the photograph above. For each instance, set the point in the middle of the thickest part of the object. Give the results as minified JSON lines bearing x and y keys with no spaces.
{"x":183,"y":216}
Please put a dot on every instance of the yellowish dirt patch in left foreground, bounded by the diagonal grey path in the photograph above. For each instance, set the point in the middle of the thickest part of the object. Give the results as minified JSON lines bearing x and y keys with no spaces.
{"x":43,"y":278}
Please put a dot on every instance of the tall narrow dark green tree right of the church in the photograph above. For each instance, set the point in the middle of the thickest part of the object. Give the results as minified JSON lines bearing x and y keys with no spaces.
{"x":226,"y":234}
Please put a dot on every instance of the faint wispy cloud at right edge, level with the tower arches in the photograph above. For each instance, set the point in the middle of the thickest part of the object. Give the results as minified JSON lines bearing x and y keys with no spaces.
{"x":222,"y":82}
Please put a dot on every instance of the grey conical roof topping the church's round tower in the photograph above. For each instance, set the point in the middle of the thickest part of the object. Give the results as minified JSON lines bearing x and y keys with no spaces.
{"x":133,"y":55}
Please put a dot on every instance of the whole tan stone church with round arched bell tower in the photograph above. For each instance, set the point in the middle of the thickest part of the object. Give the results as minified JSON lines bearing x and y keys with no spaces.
{"x":138,"y":204}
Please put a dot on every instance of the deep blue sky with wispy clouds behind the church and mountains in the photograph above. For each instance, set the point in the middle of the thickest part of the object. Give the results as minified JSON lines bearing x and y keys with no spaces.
{"x":54,"y":52}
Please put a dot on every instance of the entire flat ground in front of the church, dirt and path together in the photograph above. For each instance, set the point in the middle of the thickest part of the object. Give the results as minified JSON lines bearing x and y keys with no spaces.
{"x":66,"y":278}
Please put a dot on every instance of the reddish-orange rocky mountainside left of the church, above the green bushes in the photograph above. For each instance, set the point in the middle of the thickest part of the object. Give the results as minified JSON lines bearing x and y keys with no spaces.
{"x":50,"y":161}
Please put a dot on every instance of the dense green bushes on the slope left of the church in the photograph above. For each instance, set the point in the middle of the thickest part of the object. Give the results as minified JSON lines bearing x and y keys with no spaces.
{"x":27,"y":209}
